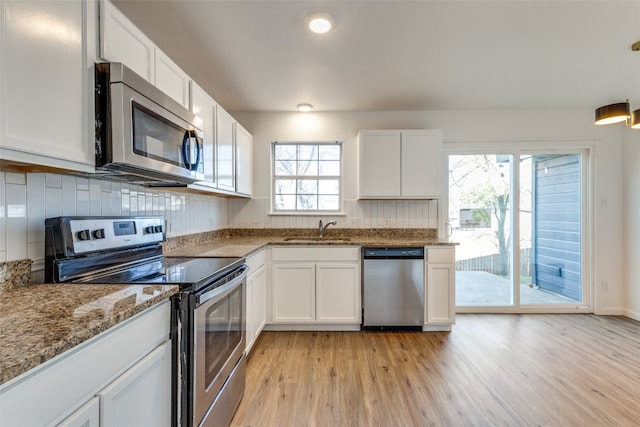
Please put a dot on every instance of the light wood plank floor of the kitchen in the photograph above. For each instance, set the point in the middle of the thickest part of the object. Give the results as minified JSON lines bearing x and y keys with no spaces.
{"x":492,"y":370}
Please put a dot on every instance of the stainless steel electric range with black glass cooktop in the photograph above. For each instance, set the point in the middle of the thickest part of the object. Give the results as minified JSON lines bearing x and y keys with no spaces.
{"x":209,"y":312}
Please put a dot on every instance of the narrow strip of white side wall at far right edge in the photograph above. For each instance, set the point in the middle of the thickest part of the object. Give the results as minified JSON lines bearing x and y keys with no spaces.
{"x":632,"y":223}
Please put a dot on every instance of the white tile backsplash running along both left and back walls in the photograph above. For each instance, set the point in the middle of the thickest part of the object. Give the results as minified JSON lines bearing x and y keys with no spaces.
{"x":26,"y":199}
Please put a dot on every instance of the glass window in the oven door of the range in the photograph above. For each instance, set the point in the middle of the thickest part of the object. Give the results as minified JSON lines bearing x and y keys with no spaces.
{"x":223,"y":333}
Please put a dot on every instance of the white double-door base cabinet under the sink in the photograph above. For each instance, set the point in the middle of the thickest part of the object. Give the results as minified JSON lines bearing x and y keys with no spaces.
{"x":316,"y":285}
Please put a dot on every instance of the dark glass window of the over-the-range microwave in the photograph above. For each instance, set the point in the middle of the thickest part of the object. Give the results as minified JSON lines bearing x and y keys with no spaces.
{"x":155,"y":137}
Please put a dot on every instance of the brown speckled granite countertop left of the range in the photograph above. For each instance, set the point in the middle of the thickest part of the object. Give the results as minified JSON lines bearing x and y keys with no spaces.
{"x":39,"y":322}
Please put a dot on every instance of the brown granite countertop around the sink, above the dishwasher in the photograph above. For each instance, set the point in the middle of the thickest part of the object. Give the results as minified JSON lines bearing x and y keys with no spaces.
{"x":243,"y":242}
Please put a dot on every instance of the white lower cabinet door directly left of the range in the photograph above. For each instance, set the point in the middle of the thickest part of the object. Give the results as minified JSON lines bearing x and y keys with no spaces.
{"x":142,"y":395}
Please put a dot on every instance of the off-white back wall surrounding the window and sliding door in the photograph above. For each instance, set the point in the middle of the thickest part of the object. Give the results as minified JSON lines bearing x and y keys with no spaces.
{"x":549,"y":128}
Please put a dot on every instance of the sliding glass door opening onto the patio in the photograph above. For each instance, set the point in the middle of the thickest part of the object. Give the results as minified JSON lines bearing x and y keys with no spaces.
{"x":519,"y":220}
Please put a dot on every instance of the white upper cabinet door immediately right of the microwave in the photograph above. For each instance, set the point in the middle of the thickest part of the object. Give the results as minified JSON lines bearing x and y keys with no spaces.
{"x":205,"y":107}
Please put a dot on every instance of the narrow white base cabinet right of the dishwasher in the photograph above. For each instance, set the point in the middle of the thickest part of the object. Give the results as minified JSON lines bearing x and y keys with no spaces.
{"x":440,"y":286}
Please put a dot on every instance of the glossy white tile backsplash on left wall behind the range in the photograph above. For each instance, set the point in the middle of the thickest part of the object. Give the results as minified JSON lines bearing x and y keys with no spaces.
{"x":27,"y":199}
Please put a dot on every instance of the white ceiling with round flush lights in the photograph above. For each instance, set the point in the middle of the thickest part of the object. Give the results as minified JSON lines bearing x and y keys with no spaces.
{"x":402,"y":55}
